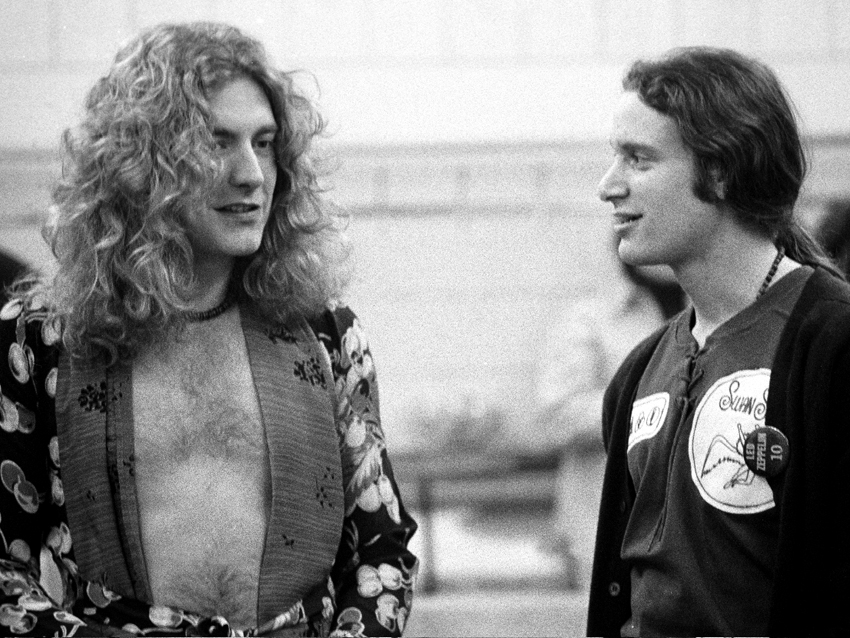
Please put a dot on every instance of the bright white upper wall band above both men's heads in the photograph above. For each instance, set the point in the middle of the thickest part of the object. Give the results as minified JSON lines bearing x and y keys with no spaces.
{"x":421,"y":71}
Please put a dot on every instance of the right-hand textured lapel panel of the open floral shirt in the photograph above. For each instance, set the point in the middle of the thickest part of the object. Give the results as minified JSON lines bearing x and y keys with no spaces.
{"x":305,"y":526}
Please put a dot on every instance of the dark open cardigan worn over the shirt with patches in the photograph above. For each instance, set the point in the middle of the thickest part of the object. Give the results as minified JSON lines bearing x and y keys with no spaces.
{"x":809,"y":400}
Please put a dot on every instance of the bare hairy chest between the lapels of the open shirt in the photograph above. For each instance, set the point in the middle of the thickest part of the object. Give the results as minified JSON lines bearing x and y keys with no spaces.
{"x":202,"y":474}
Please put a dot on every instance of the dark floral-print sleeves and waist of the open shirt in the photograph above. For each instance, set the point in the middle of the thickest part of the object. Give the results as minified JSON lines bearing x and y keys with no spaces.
{"x":370,"y":586}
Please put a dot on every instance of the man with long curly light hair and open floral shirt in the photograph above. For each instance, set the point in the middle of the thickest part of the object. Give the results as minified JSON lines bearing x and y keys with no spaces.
{"x":191,"y":442}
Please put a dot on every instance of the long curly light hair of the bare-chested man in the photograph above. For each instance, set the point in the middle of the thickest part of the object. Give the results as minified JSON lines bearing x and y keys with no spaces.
{"x":142,"y":155}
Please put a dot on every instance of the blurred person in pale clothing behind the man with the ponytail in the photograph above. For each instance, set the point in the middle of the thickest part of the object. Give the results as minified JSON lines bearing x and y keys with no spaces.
{"x":585,"y":348}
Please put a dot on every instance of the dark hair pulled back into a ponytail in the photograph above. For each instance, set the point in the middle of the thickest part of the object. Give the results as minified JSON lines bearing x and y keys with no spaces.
{"x":733,"y":113}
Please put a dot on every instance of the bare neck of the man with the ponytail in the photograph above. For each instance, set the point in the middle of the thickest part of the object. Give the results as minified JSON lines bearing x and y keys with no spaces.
{"x":725,"y":282}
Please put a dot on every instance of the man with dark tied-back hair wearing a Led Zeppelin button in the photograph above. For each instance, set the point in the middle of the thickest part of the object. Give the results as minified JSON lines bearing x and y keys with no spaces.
{"x":726,"y":497}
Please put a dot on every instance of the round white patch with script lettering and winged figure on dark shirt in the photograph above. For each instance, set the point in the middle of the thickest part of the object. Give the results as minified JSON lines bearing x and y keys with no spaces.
{"x":732,"y":408}
